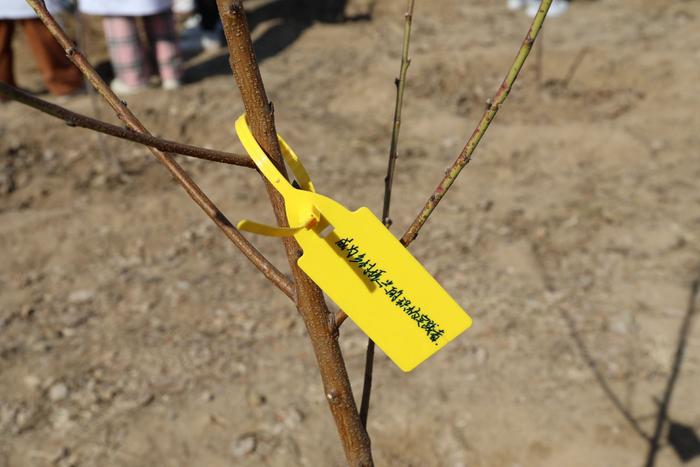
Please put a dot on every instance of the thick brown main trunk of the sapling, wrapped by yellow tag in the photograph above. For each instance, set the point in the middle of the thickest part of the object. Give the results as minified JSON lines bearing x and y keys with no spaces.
{"x":310,"y":300}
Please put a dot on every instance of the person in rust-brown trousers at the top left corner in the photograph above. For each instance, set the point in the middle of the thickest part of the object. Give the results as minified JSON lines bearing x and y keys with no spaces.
{"x":60,"y":75}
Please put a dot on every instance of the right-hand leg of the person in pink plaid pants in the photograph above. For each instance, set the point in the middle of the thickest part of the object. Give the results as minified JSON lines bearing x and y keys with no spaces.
{"x":160,"y":29}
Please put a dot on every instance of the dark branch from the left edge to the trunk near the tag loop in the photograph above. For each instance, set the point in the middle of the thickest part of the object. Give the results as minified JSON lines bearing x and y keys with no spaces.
{"x":74,"y":119}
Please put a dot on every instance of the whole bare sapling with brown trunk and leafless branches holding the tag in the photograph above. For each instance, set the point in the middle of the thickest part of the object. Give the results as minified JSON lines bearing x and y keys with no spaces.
{"x":322,"y":325}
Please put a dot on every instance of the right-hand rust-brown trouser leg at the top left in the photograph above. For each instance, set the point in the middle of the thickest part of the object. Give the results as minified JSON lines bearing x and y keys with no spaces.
{"x":60,"y":75}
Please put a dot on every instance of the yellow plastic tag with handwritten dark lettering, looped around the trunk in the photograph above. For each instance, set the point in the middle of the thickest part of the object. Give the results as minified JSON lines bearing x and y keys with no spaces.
{"x":362,"y":267}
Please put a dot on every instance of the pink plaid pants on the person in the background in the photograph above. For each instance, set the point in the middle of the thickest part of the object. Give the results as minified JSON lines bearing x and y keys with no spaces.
{"x":130,"y":56}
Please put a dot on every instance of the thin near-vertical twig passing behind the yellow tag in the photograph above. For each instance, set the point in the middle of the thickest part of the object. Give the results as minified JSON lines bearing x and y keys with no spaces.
{"x":388,"y":183}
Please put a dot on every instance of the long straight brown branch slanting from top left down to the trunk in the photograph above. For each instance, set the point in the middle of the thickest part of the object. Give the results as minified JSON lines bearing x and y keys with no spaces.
{"x":197,"y":195}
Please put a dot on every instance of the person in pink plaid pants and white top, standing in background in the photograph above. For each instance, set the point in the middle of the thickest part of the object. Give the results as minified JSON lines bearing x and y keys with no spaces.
{"x":127,"y":51}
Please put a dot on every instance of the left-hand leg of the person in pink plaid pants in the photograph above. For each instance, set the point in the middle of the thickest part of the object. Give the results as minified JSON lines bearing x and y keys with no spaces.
{"x":126,"y":51}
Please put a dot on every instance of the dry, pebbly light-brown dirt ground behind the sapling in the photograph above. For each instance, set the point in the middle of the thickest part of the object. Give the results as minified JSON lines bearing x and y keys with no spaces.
{"x":133,"y":334}
